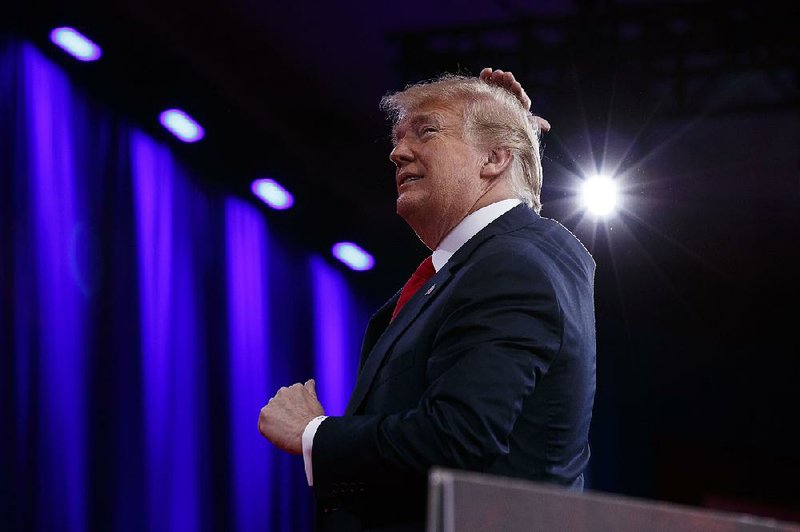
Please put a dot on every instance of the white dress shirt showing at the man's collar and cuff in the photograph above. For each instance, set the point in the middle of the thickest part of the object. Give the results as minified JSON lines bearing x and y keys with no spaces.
{"x":460,"y":234}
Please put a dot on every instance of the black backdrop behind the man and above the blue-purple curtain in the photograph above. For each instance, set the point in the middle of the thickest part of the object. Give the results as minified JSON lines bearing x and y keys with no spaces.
{"x":693,"y":106}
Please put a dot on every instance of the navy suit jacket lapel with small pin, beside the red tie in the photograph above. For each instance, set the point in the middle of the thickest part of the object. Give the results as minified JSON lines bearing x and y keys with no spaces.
{"x":377,"y":344}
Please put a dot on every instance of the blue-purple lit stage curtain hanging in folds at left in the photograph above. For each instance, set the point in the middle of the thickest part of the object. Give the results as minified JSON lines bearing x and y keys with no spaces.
{"x":144,"y":322}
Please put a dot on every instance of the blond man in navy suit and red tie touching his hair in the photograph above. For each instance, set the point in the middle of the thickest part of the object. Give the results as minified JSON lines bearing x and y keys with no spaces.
{"x":490,"y":365}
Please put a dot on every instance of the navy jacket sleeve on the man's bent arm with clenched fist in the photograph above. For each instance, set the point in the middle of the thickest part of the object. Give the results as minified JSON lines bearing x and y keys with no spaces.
{"x":497,"y":333}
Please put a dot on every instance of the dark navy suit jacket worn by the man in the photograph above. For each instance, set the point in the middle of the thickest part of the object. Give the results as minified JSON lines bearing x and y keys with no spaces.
{"x":490,"y":367}
